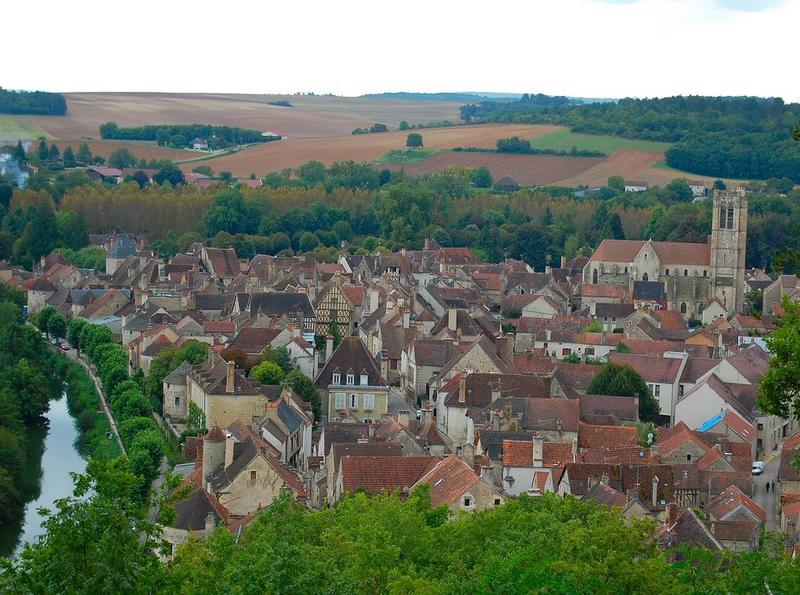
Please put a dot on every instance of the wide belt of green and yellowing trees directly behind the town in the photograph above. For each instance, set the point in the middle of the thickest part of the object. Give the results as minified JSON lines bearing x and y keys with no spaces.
{"x":319,"y":209}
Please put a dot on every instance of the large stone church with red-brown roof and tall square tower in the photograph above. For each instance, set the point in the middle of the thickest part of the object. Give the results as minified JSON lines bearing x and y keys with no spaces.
{"x":692,"y":274}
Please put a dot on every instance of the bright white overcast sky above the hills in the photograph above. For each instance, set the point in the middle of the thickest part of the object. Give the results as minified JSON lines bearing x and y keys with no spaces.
{"x":584,"y":48}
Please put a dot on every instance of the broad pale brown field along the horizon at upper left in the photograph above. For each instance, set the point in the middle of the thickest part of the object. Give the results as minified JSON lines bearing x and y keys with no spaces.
{"x":311,"y":116}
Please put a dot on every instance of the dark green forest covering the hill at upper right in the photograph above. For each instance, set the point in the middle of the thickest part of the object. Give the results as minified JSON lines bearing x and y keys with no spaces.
{"x":731,"y":137}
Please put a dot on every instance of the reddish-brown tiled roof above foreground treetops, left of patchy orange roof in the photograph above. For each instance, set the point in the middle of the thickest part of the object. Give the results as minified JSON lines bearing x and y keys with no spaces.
{"x":375,"y":474}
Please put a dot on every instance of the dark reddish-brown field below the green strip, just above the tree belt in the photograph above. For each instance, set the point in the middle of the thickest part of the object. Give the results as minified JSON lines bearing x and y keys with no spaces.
{"x":529,"y":170}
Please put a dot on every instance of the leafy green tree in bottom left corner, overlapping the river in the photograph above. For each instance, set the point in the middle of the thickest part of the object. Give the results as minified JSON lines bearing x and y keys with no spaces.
{"x":98,"y":539}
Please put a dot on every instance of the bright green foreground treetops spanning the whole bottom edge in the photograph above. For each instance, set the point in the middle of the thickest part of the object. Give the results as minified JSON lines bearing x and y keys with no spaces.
{"x":381,"y":544}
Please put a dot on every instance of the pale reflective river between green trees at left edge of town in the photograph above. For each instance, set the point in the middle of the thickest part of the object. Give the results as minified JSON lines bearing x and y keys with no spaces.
{"x":60,"y":458}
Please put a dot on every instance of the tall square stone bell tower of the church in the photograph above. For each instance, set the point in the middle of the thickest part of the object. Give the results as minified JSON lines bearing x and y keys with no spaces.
{"x":728,"y":242}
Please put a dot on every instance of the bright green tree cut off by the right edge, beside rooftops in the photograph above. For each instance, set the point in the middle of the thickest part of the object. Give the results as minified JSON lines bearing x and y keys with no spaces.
{"x":779,"y":390}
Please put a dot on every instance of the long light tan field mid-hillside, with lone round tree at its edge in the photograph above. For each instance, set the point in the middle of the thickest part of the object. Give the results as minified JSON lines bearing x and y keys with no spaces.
{"x":291,"y":153}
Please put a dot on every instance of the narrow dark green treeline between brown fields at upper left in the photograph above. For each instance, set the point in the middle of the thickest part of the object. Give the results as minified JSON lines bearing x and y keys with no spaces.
{"x":182,"y":135}
